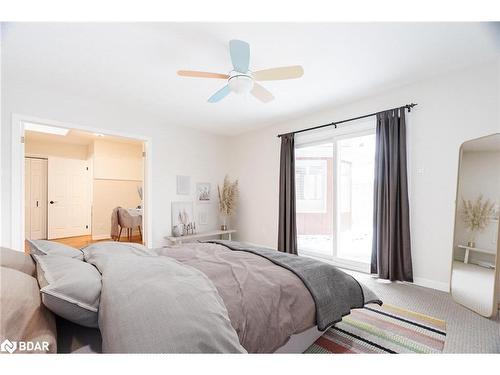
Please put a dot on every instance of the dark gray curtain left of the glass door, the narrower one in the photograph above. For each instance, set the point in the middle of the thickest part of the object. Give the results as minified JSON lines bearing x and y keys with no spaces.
{"x":287,"y":228}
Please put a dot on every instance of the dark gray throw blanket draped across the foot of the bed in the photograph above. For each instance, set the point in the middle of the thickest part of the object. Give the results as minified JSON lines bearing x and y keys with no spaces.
{"x":334,"y":292}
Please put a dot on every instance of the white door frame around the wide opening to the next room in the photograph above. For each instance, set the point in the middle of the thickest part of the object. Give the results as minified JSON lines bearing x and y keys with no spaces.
{"x":17,"y":170}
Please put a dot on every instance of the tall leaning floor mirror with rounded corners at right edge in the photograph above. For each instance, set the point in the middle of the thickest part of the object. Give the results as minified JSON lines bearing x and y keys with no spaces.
{"x":474,"y":274}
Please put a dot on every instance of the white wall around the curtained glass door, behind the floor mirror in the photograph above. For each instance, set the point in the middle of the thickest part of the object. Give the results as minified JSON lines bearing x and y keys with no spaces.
{"x":451,"y":109}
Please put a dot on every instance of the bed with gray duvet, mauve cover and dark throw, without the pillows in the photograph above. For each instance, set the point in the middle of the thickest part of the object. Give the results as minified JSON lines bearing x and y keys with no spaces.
{"x":214,"y":296}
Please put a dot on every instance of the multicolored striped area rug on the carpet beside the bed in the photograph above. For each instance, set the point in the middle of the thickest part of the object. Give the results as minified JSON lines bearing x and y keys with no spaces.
{"x":383,"y":329}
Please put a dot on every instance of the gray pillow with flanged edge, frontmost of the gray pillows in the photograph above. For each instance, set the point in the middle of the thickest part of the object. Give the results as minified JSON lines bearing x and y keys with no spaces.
{"x":70,"y":288}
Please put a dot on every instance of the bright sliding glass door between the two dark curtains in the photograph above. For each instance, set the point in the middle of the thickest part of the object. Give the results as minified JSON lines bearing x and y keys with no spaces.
{"x":334,"y":196}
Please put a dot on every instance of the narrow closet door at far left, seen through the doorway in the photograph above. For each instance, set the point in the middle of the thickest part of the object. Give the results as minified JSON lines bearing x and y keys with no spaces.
{"x":36,"y":198}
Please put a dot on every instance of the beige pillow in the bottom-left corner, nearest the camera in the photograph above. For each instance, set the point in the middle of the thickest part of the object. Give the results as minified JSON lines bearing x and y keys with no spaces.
{"x":23,"y":316}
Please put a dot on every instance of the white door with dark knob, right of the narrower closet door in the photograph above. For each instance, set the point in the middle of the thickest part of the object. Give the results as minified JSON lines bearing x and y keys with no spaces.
{"x":69,"y":205}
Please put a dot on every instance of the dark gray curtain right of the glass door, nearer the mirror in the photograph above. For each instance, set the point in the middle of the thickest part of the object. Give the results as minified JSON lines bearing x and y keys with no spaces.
{"x":391,"y":251}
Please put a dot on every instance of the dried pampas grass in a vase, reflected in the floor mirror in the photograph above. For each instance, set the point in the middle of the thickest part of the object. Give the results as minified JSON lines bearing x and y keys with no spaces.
{"x":476,"y":216}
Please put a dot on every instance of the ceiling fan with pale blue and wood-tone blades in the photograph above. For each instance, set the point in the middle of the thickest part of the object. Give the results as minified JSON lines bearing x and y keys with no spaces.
{"x":241,"y":79}
